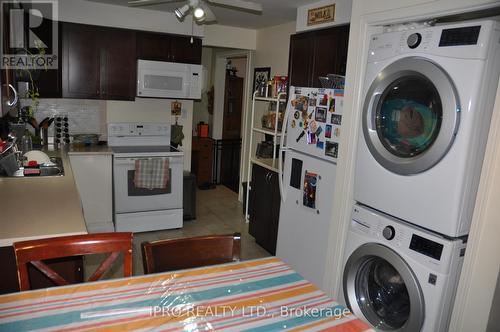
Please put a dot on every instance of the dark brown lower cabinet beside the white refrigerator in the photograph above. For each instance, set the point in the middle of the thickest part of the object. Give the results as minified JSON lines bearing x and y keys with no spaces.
{"x":264,"y":207}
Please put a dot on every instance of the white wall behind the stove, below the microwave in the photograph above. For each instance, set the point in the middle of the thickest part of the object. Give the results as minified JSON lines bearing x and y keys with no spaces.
{"x":154,"y":110}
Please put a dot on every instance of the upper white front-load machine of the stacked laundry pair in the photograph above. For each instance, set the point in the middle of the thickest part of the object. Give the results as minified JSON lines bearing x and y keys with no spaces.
{"x":429,"y":95}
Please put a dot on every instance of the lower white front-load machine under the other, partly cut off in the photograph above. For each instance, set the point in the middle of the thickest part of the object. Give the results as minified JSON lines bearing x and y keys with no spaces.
{"x":398,"y":277}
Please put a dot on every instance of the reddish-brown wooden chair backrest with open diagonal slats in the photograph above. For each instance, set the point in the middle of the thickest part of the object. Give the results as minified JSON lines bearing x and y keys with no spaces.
{"x":35,"y":251}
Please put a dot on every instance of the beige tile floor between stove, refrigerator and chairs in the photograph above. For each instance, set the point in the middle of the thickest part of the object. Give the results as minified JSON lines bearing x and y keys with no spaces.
{"x":218,"y":211}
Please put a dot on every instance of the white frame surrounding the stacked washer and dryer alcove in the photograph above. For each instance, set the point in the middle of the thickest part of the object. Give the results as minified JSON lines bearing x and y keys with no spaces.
{"x":481,"y":265}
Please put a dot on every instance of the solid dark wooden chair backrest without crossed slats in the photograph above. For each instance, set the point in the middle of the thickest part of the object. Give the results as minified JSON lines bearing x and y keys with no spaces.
{"x":176,"y":254}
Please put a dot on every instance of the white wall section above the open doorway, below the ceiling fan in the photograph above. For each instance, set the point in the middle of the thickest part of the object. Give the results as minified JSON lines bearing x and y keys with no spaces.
{"x":231,"y":37}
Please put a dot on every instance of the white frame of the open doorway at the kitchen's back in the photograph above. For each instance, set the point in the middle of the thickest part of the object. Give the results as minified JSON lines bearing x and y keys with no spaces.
{"x":219,"y":88}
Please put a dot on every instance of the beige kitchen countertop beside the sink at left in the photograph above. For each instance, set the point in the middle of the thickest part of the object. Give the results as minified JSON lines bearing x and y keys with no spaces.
{"x":38,"y":207}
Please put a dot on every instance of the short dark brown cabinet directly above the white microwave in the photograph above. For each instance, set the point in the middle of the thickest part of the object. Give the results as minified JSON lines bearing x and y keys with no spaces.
{"x":165,"y":47}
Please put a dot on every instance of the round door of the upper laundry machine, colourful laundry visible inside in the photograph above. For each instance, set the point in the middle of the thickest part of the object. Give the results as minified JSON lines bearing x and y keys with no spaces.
{"x":410,"y":116}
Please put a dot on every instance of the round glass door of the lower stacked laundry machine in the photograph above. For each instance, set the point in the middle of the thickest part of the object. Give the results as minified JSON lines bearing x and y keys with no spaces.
{"x":382,"y":288}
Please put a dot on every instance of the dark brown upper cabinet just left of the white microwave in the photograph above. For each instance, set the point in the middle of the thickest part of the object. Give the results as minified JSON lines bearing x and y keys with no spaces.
{"x":98,"y":62}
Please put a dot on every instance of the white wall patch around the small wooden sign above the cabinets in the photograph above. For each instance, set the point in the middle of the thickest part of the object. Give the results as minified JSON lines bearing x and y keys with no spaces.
{"x":342,"y":14}
